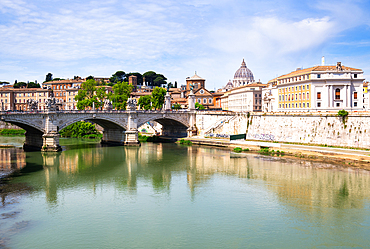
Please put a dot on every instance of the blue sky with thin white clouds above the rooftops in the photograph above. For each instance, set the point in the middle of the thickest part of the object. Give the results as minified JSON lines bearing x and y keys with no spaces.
{"x":178,"y":38}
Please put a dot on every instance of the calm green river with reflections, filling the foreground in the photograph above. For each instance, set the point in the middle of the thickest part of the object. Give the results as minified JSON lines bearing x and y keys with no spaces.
{"x":174,"y":196}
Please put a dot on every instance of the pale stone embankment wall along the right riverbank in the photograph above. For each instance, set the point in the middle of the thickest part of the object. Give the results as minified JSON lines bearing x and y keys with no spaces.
{"x":321,"y":129}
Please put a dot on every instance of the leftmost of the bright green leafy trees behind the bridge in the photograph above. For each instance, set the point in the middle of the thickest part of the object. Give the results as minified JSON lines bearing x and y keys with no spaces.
{"x":86,"y":95}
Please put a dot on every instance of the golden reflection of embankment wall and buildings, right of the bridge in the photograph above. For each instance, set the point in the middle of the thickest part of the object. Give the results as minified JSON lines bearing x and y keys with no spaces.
{"x":298,"y":182}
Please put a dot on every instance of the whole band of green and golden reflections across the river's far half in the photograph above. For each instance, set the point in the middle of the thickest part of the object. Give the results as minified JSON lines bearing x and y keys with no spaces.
{"x":302,"y":183}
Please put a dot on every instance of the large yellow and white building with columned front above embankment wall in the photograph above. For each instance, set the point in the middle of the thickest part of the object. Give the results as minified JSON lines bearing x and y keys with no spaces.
{"x":321,"y":88}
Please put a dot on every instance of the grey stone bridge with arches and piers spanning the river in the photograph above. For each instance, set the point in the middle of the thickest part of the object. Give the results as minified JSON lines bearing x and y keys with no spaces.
{"x":120,"y":127}
